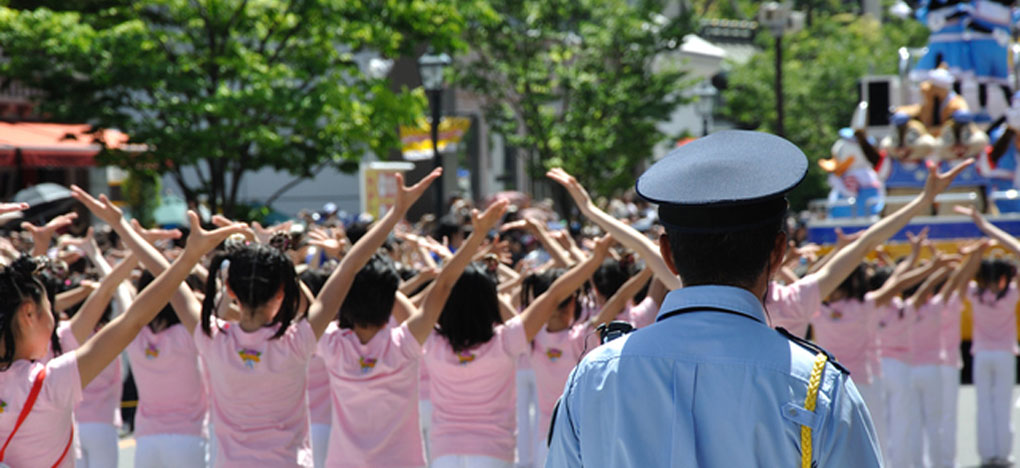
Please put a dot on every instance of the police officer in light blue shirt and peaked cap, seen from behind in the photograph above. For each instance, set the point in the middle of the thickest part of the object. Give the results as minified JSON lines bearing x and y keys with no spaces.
{"x":710,"y":385}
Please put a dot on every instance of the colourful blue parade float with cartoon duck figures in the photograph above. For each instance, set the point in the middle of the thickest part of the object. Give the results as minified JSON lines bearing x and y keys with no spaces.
{"x":953,"y":100}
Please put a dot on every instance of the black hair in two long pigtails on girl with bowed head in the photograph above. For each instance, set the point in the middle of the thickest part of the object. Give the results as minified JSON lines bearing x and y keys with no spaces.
{"x":254,"y":273}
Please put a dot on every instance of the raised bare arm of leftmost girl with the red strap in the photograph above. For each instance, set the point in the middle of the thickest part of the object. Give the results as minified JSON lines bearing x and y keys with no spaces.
{"x":99,"y":351}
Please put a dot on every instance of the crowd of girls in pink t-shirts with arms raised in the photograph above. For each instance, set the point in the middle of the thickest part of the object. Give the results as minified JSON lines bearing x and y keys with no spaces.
{"x":383,"y":347}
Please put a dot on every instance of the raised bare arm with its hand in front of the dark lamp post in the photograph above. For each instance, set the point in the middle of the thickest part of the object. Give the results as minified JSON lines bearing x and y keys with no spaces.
{"x":325,"y":308}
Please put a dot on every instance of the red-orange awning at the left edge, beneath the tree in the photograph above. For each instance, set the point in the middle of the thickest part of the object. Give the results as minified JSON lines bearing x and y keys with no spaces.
{"x":54,"y":145}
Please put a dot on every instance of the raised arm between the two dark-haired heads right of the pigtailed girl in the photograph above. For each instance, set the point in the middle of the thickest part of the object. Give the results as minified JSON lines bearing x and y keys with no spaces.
{"x":422,"y":324}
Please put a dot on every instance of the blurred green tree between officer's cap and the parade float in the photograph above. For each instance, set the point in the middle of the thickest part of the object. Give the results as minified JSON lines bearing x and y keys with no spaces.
{"x":822,"y":68}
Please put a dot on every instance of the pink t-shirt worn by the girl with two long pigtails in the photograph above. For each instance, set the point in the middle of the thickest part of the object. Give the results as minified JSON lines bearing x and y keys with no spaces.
{"x":260,"y":405}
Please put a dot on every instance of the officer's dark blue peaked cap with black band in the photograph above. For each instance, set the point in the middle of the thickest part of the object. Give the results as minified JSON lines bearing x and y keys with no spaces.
{"x":727,"y":182}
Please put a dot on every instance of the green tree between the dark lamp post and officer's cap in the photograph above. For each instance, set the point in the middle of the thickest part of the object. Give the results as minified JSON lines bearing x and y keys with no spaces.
{"x":578,"y":84}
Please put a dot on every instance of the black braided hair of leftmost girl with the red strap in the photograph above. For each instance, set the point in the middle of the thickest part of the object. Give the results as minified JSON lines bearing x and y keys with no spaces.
{"x":18,"y":284}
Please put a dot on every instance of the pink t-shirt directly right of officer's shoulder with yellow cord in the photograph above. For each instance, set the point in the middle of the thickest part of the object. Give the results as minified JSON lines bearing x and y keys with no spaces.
{"x":845,"y":329}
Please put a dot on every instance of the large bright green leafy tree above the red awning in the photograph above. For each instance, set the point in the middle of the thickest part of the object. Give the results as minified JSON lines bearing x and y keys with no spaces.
{"x":227,"y":87}
